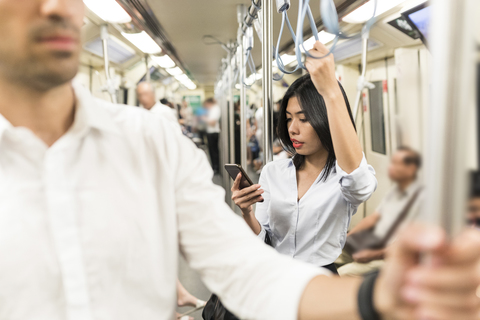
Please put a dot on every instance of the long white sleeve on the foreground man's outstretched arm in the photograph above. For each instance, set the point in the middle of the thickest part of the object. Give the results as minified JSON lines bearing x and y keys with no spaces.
{"x":252,"y":280}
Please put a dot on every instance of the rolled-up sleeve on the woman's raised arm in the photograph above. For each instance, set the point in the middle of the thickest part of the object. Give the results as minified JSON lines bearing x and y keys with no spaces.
{"x":359,"y":185}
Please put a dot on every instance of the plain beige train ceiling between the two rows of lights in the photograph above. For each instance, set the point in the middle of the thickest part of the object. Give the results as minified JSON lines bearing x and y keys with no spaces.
{"x":187,"y":21}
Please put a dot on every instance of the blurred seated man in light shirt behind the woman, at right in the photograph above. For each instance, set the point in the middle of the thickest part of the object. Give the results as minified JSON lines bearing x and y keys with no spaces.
{"x":400,"y":205}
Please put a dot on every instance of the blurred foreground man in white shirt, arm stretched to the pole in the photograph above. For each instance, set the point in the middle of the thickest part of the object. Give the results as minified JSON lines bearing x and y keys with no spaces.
{"x":96,"y":200}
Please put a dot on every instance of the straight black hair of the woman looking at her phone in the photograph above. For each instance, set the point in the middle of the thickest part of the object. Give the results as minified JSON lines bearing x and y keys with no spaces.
{"x":315,"y":111}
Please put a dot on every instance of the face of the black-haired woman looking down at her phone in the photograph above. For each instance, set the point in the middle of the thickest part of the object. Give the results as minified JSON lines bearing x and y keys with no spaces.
{"x":304,"y":138}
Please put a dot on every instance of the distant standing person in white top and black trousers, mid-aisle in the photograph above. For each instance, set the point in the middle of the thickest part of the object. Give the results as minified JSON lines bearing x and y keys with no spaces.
{"x":213,"y":131}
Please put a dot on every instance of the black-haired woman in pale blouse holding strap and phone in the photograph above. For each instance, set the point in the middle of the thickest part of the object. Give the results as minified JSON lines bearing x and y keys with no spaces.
{"x":308,"y":201}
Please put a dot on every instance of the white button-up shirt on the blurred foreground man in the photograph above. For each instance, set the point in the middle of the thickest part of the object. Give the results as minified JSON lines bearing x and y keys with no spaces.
{"x":91,"y":227}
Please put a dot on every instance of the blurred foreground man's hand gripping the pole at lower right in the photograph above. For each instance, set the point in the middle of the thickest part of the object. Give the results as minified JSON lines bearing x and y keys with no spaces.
{"x":443,"y":288}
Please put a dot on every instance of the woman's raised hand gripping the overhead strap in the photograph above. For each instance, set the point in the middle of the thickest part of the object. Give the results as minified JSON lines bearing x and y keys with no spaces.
{"x":322,"y":71}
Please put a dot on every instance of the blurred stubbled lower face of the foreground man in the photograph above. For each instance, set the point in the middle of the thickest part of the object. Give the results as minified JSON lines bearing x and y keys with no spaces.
{"x":40,"y":41}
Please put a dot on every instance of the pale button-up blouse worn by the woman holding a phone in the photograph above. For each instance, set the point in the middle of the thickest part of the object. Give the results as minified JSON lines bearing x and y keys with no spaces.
{"x":313,"y":229}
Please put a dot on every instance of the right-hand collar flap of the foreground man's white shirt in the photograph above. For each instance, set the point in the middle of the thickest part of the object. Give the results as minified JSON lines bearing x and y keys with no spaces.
{"x":90,"y":113}
